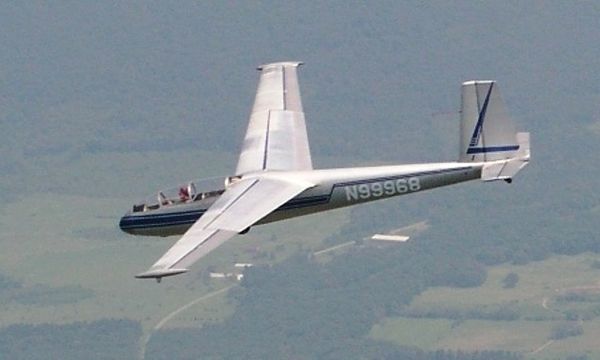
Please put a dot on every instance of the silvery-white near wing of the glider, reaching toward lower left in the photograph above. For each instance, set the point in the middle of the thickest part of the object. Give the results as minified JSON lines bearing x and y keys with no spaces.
{"x":240,"y":206}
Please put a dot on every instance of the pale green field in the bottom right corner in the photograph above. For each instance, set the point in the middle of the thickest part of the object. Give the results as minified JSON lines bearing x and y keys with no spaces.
{"x":540,"y":299}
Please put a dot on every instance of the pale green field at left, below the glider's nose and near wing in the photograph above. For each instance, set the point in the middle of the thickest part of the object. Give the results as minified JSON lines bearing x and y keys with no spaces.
{"x":61,"y":241}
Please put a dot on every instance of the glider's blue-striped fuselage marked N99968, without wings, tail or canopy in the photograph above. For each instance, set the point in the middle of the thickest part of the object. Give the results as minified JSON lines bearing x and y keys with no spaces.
{"x":334,"y":188}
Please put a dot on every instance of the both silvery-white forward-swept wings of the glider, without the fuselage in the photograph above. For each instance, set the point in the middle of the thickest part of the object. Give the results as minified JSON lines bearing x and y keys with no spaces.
{"x":276,"y":140}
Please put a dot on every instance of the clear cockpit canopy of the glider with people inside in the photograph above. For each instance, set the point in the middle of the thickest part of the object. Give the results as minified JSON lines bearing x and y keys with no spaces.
{"x":189,"y":192}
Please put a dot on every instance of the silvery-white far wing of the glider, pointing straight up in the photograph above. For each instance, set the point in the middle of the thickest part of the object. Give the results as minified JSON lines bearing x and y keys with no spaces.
{"x":276,"y":137}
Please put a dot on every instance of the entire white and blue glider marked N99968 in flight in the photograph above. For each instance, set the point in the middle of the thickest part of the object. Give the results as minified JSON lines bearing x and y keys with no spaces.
{"x":274,"y":179}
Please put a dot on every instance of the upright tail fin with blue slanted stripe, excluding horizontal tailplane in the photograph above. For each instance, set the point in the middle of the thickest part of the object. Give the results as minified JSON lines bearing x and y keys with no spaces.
{"x":486,"y":131}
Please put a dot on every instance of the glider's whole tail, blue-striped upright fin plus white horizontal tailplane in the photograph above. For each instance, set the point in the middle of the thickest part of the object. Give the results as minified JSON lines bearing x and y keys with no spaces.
{"x":487,"y":134}
